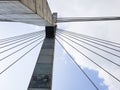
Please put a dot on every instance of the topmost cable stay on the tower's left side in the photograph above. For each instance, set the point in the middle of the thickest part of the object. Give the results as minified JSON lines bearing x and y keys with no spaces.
{"x":23,"y":37}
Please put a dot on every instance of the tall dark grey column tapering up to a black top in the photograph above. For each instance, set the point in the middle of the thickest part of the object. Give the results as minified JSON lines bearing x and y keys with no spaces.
{"x":42,"y":75}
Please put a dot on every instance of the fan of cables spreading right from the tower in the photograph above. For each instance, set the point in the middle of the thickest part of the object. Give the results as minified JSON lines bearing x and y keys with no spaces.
{"x":87,"y":42}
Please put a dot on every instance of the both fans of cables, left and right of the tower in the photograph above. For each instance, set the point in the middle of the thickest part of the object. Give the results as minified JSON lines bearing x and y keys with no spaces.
{"x":70,"y":38}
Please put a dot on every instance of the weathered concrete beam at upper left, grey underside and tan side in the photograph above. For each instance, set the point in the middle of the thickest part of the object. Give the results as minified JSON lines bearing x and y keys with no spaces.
{"x":35,"y":12}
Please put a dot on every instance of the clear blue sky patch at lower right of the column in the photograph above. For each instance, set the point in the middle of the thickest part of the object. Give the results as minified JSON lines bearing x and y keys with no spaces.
{"x":67,"y":76}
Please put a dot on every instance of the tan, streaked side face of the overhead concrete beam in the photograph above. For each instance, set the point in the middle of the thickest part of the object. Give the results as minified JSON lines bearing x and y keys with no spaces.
{"x":41,"y":8}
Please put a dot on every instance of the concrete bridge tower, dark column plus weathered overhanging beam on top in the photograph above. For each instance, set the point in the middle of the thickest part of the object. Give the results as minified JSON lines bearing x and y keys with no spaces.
{"x":36,"y":12}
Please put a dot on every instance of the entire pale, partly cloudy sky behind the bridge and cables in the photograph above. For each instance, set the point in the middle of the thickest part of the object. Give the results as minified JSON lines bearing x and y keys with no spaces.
{"x":66,"y":74}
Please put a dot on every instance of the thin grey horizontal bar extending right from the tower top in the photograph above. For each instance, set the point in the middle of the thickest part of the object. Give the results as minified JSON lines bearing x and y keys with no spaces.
{"x":86,"y":19}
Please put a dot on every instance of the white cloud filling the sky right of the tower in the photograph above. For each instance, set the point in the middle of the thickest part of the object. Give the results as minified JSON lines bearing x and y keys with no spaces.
{"x":105,"y":30}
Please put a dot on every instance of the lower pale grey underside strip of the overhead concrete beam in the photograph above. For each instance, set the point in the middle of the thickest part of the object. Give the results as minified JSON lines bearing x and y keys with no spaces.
{"x":26,"y":18}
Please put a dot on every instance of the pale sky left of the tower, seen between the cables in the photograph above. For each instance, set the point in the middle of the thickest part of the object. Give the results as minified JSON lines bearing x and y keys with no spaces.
{"x":18,"y":76}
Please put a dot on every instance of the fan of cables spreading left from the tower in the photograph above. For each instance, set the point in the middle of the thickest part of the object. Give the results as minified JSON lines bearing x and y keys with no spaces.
{"x":20,"y":42}
